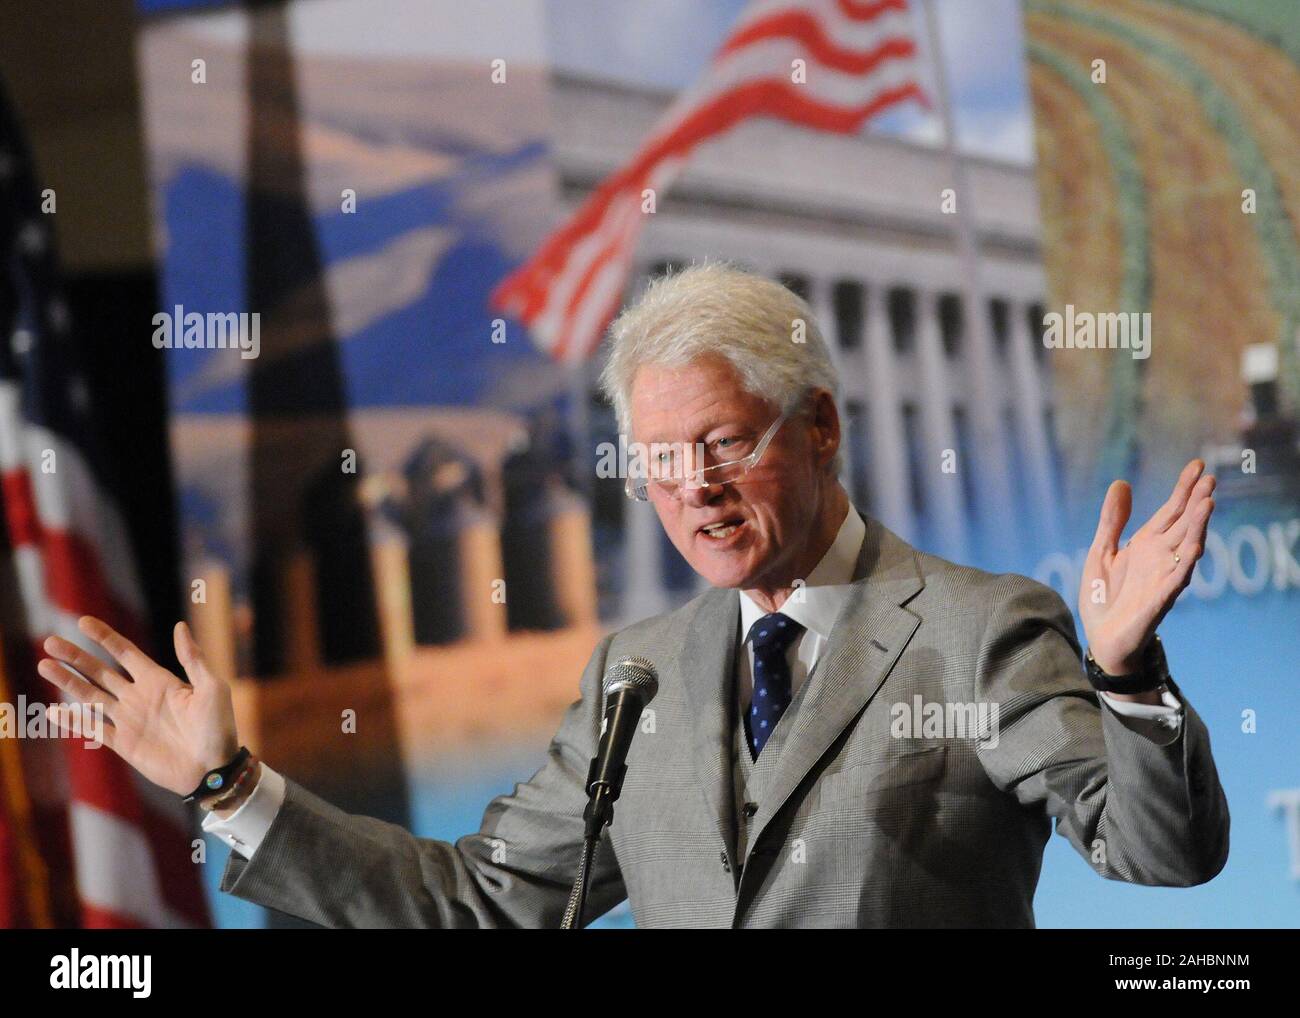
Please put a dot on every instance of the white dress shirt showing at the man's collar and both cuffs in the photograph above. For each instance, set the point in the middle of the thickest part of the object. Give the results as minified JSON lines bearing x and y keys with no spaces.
{"x":816,"y":607}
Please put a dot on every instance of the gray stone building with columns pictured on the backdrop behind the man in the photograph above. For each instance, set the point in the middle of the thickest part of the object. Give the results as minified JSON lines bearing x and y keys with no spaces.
{"x":857,"y":227}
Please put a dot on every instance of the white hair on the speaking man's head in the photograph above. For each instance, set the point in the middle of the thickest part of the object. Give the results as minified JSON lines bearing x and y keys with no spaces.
{"x":765,"y":331}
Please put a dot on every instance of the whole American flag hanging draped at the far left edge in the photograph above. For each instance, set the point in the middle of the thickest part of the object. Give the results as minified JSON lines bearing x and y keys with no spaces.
{"x":84,"y":841}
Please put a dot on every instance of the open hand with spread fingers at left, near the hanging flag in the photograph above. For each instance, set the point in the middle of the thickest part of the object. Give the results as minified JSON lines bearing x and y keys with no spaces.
{"x":171,"y":733}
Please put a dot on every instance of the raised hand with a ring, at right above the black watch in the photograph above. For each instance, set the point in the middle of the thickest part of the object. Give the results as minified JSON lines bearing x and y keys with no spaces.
{"x":1128,"y":591}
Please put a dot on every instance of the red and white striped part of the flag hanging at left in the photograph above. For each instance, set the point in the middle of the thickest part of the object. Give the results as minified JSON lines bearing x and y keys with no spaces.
{"x":129,"y":842}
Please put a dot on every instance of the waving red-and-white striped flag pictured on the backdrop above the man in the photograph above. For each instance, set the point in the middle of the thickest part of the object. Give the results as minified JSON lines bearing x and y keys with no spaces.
{"x":859,"y":60}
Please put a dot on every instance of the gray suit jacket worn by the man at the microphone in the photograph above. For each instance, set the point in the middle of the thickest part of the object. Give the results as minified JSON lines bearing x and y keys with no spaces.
{"x":856,"y":828}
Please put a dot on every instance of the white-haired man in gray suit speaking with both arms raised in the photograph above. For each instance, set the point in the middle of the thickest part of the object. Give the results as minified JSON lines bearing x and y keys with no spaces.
{"x":779,"y":786}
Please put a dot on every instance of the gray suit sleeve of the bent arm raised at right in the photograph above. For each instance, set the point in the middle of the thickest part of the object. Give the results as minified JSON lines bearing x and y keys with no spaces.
{"x":1139,"y":805}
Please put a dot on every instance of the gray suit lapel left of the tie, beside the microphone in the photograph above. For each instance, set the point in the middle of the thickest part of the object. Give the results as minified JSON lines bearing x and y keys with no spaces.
{"x":708,"y":666}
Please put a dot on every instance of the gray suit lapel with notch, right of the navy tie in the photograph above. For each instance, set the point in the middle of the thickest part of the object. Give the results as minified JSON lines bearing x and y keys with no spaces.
{"x":868,"y":639}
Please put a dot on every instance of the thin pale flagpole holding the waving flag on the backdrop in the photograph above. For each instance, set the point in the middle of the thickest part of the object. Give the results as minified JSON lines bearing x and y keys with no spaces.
{"x":994,"y":479}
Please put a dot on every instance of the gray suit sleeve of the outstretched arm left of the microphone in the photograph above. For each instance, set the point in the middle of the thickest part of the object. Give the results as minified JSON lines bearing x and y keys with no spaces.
{"x":335,"y":869}
